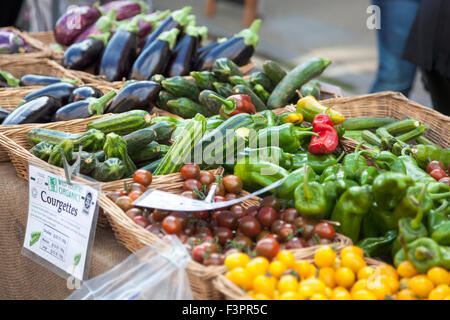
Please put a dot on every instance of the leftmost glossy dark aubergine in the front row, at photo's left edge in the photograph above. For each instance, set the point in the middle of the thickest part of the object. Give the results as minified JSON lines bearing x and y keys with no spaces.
{"x":38,"y":110}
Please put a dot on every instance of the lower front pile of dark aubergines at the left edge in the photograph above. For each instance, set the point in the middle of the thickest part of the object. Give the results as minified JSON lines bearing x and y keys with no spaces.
{"x":62,"y":101}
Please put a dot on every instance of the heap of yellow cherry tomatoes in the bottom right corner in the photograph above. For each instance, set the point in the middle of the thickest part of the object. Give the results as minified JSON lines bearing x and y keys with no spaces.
{"x":334,"y":276}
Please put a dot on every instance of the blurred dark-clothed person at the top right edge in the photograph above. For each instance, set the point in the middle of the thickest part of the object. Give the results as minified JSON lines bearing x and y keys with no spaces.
{"x":428,"y":46}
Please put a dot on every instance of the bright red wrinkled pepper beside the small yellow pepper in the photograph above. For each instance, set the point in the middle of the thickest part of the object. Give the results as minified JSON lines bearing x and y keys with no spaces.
{"x":327,"y":140}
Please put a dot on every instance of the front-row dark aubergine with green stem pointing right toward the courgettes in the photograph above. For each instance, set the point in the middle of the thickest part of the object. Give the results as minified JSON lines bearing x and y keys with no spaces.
{"x":83,"y":108}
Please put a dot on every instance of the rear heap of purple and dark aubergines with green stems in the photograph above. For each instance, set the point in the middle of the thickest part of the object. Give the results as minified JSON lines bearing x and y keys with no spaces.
{"x":138,"y":47}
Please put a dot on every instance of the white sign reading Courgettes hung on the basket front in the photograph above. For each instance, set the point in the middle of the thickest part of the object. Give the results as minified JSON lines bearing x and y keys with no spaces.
{"x":61,"y":217}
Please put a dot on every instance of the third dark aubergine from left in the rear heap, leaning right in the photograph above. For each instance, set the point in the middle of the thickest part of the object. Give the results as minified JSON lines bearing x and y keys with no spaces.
{"x":154,"y":58}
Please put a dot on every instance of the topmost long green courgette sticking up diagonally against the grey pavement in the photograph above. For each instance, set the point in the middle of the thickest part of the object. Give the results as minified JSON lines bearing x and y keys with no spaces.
{"x":285,"y":90}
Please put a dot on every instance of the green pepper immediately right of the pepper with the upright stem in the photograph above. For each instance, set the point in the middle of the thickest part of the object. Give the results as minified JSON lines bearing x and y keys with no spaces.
{"x":350,"y":210}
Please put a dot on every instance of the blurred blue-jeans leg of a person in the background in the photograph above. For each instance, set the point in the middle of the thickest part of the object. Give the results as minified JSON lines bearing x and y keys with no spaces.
{"x":394,"y":73}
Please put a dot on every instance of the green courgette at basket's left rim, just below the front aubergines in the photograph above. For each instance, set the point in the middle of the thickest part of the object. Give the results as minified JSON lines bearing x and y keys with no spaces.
{"x":122,"y":123}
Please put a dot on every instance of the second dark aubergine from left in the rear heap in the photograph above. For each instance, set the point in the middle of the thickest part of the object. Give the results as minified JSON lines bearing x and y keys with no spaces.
{"x":120,"y":52}
